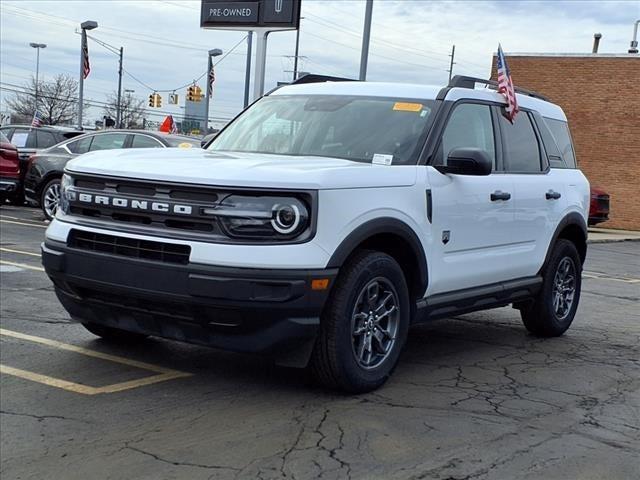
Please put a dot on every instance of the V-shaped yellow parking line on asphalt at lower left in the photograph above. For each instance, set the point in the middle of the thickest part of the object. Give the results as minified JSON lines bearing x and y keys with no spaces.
{"x":163,"y":374}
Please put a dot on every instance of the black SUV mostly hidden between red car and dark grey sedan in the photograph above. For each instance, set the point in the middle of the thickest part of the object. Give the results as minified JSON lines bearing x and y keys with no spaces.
{"x":28,"y":140}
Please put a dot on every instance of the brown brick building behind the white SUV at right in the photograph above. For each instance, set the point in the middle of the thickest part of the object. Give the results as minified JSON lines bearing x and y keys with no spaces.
{"x":600,"y":94}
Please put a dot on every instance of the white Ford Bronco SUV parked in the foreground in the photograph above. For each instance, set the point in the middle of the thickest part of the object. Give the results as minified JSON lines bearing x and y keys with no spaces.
{"x":325,"y":220}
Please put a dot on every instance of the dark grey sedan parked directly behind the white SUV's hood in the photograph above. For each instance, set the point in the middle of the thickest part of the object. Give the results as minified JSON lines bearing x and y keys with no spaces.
{"x":42,"y":181}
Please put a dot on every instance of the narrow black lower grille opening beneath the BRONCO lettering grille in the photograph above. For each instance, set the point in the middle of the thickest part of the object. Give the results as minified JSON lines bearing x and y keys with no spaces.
{"x":129,"y":247}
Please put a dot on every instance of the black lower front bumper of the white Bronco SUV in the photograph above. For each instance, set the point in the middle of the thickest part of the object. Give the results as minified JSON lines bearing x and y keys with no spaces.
{"x":239,"y":309}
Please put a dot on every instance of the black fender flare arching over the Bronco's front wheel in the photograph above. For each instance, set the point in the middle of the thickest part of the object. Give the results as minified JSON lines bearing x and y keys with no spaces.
{"x":388,"y":225}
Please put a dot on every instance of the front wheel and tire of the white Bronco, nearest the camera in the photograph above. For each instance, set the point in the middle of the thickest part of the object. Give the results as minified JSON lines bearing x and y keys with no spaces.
{"x":356,"y":352}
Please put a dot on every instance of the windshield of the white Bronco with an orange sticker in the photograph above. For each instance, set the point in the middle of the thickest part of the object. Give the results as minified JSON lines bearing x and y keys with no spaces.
{"x":363,"y":129}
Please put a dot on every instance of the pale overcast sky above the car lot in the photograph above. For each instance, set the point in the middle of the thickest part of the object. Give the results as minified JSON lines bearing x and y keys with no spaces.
{"x":164,"y":46}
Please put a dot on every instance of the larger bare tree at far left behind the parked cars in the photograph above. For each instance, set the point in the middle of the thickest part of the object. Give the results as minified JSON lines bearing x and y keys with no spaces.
{"x":57,"y":100}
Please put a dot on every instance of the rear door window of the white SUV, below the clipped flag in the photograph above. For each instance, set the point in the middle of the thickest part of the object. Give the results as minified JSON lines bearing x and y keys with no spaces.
{"x":521,"y":147}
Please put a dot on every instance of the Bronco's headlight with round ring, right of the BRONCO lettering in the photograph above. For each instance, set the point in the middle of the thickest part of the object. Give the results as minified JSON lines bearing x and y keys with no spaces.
{"x":268,"y":217}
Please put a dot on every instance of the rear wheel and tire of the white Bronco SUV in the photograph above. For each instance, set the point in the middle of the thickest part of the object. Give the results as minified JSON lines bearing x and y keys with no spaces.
{"x":553,"y":310}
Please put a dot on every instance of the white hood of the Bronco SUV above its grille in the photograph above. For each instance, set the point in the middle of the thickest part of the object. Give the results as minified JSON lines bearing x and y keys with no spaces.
{"x":196,"y":166}
